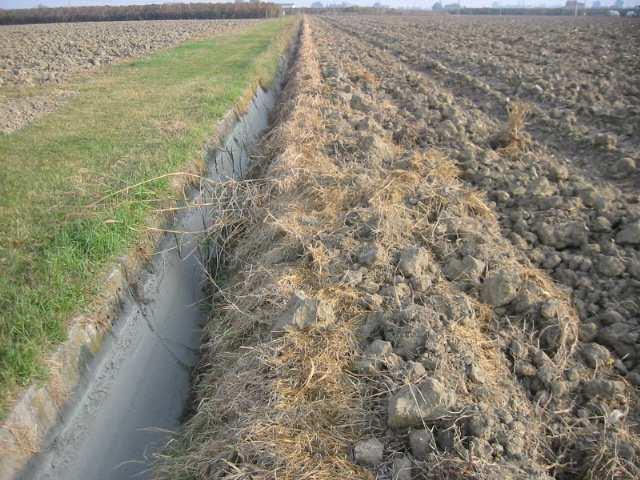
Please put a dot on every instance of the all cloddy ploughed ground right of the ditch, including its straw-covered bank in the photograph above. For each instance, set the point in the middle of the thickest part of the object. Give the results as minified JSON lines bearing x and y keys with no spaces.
{"x":408,"y":297}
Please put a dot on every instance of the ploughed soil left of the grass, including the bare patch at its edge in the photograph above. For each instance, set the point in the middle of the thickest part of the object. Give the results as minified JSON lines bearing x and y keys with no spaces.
{"x":36,"y":56}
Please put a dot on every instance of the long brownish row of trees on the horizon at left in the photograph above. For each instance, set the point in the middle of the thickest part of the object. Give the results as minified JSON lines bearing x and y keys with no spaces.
{"x":169,"y":11}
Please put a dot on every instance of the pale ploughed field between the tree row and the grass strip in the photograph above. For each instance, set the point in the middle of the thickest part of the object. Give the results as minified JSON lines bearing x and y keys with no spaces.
{"x":49,"y":53}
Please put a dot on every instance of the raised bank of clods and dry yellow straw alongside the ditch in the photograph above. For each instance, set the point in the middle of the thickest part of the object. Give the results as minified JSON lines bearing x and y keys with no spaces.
{"x":375,"y":321}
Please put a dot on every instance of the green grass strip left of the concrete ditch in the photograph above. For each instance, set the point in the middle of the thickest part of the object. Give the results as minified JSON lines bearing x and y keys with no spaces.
{"x":136,"y":122}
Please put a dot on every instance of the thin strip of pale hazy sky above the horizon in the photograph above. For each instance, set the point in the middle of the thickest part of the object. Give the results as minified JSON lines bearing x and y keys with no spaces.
{"x":393,"y":3}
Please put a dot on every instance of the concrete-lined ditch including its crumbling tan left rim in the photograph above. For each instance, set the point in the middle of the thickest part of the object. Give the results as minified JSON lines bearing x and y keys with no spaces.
{"x":120,"y":381}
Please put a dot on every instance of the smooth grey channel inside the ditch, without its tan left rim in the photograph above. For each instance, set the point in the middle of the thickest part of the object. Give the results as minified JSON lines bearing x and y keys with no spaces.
{"x":134,"y":392}
